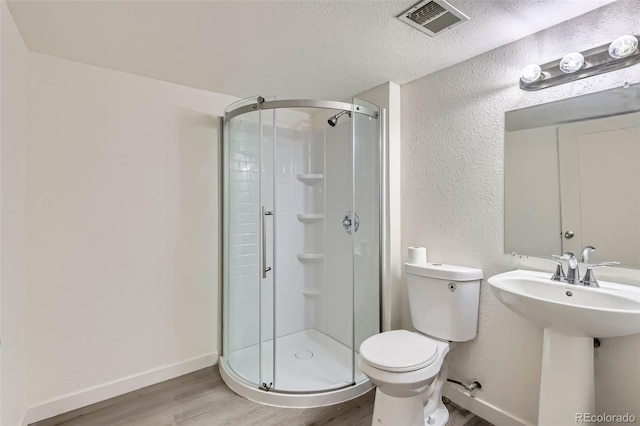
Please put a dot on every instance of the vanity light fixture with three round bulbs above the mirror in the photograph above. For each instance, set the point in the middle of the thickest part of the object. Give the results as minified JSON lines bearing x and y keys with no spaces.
{"x":620,"y":53}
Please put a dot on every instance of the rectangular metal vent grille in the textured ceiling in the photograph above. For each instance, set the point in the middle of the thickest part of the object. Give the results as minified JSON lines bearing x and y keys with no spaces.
{"x":433,"y":16}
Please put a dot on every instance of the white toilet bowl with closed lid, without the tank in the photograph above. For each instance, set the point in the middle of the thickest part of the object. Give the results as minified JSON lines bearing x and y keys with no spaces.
{"x":405,"y":367}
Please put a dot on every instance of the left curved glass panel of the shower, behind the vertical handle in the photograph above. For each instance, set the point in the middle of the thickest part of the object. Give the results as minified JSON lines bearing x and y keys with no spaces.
{"x":247,"y":202}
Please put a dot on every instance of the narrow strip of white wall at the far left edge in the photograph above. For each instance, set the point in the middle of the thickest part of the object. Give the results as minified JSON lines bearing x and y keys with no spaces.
{"x":14,"y":86}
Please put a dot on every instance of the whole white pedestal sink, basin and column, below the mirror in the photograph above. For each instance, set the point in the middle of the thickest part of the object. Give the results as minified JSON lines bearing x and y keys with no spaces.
{"x":571,"y":316}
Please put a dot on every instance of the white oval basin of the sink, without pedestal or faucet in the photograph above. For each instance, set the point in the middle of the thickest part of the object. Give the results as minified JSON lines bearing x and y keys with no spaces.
{"x":612,"y":310}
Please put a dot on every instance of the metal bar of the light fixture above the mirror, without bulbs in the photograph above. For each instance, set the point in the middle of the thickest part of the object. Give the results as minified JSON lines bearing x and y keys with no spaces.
{"x":596,"y":61}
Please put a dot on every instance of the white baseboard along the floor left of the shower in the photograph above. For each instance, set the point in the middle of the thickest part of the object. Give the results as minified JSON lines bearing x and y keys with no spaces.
{"x":115,"y":388}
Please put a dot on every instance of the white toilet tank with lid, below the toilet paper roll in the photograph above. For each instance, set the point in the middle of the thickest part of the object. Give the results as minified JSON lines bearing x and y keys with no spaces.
{"x":444,"y":300}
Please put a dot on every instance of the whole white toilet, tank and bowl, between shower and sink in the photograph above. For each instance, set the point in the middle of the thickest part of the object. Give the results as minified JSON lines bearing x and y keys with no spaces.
{"x":409,"y":368}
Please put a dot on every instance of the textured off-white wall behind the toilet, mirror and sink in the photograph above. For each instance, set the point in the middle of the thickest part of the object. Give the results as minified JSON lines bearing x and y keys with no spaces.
{"x":452,"y":199}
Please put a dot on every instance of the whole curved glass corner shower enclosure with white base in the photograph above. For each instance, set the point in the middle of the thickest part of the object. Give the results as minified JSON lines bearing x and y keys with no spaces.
{"x":301,"y":223}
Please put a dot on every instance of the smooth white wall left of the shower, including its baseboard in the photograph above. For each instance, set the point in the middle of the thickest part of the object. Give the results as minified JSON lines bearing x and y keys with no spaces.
{"x":123,"y":233}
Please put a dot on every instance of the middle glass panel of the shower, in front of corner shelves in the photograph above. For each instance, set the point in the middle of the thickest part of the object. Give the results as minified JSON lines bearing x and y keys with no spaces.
{"x":314,"y":253}
